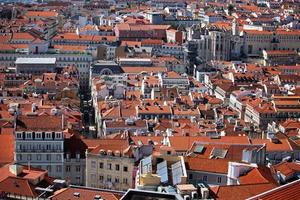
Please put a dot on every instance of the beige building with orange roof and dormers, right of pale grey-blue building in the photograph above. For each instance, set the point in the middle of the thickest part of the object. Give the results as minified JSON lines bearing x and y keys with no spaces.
{"x":111,"y":165}
